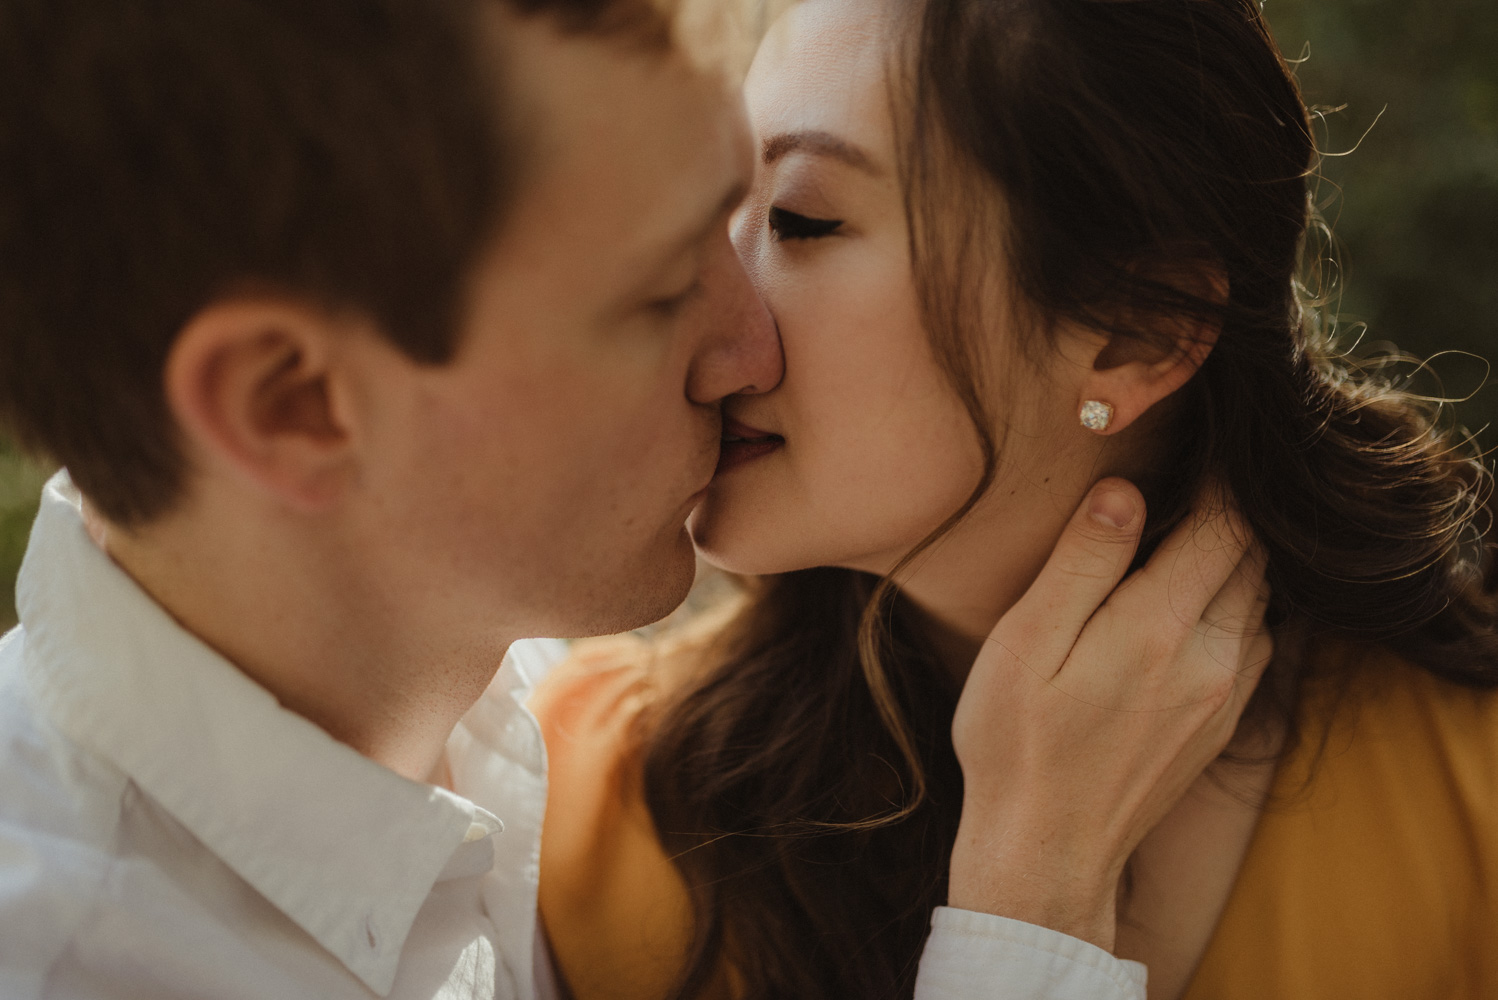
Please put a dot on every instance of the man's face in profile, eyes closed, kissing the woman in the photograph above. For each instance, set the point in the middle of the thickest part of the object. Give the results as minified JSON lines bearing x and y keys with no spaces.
{"x":546,"y":475}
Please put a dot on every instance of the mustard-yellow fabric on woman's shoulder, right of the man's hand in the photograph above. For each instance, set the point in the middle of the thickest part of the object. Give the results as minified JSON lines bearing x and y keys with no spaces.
{"x":1374,"y":872}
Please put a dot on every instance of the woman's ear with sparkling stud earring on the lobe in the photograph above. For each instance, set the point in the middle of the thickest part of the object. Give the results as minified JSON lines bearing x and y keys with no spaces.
{"x":1135,"y":374}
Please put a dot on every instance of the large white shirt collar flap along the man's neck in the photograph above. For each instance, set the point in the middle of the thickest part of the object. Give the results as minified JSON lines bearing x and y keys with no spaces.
{"x":345,"y":848}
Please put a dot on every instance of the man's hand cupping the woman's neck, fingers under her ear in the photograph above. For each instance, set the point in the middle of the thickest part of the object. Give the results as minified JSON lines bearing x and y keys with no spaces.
{"x":1096,"y":704}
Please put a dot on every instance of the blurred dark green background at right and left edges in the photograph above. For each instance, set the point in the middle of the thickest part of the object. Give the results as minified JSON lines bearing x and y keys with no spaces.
{"x":1415,"y":207}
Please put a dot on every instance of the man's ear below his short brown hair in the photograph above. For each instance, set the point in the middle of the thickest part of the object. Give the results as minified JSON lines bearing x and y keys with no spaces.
{"x":257,"y":391}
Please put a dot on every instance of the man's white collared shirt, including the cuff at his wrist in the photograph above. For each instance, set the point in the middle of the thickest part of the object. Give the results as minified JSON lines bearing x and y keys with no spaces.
{"x":170,"y":832}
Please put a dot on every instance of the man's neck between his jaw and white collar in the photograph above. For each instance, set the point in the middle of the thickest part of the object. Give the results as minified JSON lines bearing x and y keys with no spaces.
{"x":305,"y":619}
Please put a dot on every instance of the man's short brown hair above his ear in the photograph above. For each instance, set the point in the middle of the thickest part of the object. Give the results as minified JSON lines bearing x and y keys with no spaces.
{"x":157,"y":155}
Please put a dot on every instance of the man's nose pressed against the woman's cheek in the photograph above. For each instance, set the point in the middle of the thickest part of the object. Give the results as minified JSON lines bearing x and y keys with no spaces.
{"x":741,"y":348}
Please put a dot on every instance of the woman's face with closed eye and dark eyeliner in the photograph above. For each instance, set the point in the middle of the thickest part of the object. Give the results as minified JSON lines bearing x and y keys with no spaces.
{"x":876,"y":450}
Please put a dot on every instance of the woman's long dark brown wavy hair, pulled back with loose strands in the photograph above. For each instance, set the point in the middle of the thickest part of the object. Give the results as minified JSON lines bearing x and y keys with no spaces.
{"x":807,"y":782}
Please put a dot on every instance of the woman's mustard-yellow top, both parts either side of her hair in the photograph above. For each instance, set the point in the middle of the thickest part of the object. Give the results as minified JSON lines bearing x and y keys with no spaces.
{"x":1373,"y":874}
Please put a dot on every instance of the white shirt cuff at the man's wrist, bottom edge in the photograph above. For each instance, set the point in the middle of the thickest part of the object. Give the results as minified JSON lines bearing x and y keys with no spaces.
{"x":980,"y":956}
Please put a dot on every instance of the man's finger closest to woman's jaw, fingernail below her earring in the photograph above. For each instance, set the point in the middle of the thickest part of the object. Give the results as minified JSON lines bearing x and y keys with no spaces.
{"x":1088,"y":562}
